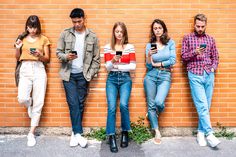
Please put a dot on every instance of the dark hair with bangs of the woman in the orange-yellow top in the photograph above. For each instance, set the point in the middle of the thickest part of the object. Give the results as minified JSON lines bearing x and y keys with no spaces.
{"x":33,"y":21}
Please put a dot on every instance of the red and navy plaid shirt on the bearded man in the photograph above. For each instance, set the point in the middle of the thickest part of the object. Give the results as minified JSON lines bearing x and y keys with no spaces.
{"x":198,"y":63}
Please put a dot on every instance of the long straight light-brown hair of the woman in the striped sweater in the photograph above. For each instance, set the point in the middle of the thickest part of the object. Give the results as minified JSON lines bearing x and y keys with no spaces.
{"x":125,"y":35}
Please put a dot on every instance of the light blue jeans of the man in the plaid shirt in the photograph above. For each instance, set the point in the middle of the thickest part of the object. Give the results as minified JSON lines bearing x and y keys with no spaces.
{"x":201,"y":91}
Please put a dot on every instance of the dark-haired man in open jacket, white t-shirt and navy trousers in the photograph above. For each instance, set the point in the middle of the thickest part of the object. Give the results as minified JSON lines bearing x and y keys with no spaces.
{"x":78,"y":51}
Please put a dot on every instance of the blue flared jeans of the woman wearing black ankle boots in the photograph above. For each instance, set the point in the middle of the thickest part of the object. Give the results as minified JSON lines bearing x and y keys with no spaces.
{"x":118,"y":82}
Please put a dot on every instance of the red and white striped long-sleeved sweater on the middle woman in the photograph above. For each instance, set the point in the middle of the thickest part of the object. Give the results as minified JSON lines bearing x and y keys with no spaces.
{"x":127,"y":61}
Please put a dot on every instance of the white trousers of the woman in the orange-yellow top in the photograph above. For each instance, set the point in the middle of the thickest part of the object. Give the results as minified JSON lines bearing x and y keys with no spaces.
{"x":33,"y":81}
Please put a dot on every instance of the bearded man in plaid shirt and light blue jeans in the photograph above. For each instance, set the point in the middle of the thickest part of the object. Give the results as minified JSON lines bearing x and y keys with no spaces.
{"x":200,"y":54}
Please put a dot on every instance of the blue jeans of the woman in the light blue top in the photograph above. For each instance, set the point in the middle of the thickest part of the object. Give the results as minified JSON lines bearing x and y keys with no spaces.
{"x":156,"y":86}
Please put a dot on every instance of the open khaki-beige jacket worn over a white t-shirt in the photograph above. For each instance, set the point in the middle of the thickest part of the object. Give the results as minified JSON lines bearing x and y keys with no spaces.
{"x":91,"y":59}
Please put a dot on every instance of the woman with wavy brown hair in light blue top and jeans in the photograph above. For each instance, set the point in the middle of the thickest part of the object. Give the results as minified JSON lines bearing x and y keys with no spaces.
{"x":160,"y":57}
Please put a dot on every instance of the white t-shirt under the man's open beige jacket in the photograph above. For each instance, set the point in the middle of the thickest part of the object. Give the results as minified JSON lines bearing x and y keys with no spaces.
{"x":77,"y":64}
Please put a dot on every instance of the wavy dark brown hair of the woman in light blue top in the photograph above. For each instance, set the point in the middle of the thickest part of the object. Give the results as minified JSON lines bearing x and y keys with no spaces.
{"x":164,"y":37}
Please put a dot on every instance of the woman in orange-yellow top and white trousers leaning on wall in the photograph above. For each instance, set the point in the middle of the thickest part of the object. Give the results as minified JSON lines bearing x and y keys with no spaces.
{"x":32,"y":49}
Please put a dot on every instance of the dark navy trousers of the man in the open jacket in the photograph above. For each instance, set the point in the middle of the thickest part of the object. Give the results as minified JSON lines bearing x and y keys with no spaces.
{"x":76,"y":92}
